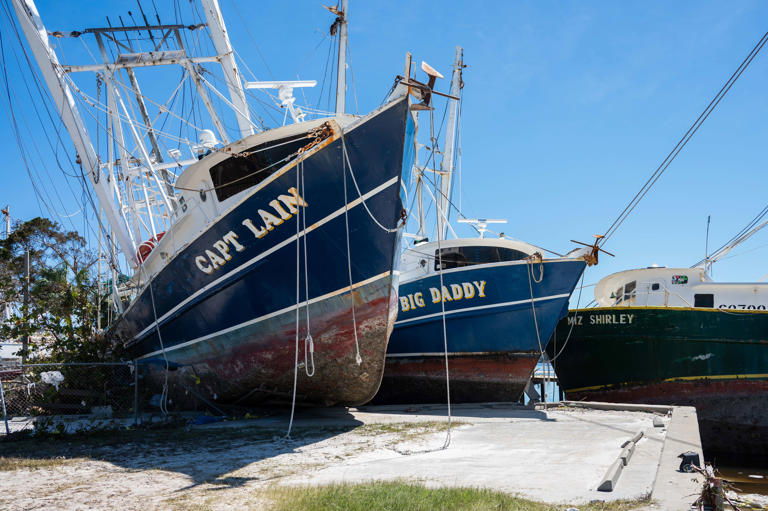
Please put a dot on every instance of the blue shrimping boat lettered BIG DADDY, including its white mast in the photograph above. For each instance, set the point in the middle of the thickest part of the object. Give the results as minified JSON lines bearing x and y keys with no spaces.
{"x":488,"y":305}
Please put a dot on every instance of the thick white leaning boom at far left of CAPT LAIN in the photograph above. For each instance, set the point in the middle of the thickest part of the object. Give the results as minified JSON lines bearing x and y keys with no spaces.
{"x":52,"y":72}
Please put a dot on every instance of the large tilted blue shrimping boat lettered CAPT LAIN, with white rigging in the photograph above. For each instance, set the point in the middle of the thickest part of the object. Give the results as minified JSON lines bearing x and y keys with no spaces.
{"x":266,"y":252}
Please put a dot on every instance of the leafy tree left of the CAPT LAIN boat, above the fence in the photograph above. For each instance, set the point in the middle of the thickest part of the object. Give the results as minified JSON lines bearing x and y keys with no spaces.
{"x":60,"y":318}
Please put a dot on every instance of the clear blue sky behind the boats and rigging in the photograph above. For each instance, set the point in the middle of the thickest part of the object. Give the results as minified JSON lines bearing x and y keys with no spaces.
{"x":568,"y":108}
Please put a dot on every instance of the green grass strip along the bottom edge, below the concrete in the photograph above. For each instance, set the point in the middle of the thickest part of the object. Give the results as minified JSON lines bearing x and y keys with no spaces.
{"x":395,"y":496}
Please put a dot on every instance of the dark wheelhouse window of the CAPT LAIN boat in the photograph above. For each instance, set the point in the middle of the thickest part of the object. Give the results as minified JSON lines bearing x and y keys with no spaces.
{"x":251,"y":167}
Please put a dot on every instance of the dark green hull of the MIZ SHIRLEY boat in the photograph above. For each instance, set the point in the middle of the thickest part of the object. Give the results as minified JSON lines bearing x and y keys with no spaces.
{"x":714,"y":360}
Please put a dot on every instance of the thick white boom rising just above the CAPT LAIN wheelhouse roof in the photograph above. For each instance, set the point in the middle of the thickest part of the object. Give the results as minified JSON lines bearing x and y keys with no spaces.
{"x":226,"y":54}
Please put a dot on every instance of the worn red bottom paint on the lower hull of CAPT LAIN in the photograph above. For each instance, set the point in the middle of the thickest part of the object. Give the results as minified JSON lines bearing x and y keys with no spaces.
{"x":256,"y":365}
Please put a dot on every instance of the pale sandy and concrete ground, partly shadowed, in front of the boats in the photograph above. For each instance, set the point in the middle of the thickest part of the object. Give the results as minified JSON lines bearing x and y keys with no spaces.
{"x":556,"y":456}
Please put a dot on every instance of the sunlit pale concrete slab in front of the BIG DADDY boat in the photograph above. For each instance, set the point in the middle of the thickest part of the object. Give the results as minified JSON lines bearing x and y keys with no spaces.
{"x":559,"y":455}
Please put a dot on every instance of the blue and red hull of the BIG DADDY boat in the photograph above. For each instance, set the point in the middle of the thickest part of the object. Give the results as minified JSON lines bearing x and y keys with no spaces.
{"x":492,"y":340}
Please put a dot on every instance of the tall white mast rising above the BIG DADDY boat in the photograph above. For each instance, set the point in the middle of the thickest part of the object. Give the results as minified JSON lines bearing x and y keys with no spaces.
{"x":446,"y":165}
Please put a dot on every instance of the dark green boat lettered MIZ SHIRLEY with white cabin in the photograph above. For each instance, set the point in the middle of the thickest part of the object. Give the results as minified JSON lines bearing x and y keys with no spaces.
{"x":674,"y":336}
